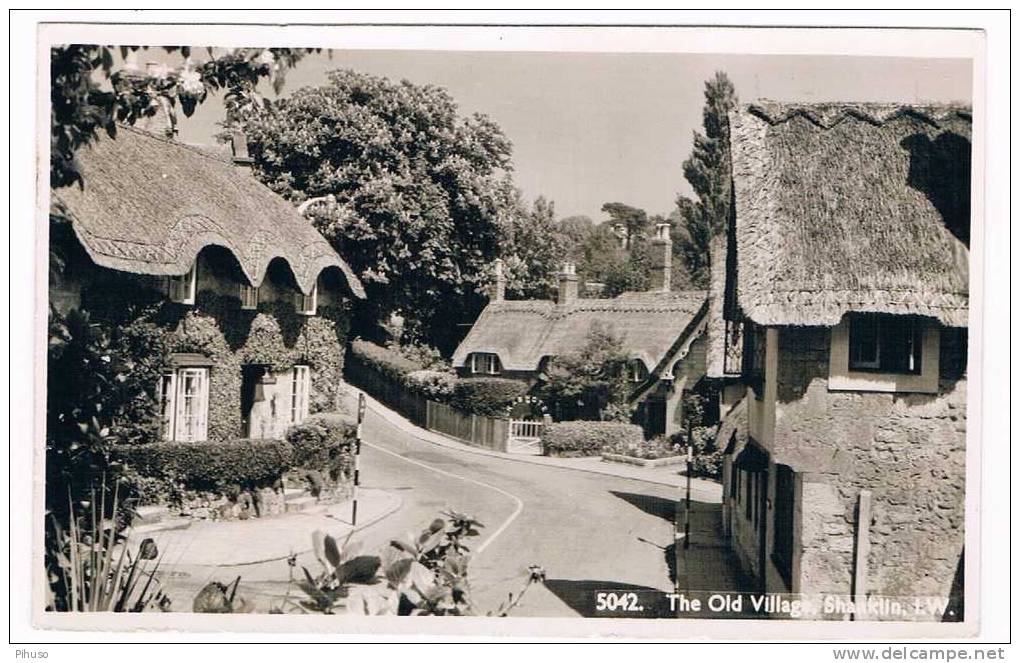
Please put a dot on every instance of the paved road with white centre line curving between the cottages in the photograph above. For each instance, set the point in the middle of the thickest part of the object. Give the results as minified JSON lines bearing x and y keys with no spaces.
{"x":590,"y":533}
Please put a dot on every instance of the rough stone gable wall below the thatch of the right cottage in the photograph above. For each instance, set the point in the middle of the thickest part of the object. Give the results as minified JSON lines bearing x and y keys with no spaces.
{"x":907,"y":449}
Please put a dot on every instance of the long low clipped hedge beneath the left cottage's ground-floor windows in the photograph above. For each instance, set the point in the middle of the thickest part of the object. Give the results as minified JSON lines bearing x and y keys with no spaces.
{"x":212,"y":466}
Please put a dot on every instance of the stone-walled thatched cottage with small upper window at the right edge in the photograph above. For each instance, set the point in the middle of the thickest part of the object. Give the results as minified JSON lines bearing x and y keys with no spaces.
{"x":841,"y":308}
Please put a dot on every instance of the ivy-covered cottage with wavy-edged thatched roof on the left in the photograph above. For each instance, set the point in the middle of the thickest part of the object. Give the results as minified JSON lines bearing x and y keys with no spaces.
{"x":248,"y":300}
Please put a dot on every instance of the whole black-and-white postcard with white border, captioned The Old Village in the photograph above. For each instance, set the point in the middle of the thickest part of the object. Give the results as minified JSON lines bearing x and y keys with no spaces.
{"x":620,"y":337}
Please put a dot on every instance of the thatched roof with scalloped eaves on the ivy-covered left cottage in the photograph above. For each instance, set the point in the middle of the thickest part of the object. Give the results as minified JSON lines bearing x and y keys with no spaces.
{"x":150,"y":206}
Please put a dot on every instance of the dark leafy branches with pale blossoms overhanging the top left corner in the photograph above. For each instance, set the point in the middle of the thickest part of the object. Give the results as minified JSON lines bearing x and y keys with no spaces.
{"x":87,"y":96}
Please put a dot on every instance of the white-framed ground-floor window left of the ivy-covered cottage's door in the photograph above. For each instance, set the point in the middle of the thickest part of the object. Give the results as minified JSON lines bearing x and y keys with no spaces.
{"x":184,"y":404}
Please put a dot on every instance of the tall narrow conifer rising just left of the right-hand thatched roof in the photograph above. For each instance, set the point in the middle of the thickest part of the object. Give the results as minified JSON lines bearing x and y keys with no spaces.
{"x":708,"y":172}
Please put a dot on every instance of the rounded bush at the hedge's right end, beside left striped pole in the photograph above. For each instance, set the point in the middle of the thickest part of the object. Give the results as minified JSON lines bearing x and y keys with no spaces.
{"x":324,"y":443}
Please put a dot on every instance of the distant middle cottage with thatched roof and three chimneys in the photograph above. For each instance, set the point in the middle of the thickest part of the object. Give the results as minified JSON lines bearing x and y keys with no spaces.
{"x":662,"y":332}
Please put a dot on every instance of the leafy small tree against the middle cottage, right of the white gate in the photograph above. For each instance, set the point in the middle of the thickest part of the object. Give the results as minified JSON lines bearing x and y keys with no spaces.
{"x":590,"y":383}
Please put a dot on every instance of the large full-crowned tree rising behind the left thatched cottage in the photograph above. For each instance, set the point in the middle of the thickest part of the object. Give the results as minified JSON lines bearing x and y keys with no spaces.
{"x":421,"y":195}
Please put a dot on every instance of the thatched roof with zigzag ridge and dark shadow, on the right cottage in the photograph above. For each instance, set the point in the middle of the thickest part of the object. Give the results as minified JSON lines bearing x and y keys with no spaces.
{"x":851,"y":208}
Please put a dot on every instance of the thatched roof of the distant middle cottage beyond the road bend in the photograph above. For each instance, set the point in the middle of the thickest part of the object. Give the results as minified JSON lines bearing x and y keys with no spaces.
{"x":523,"y":333}
